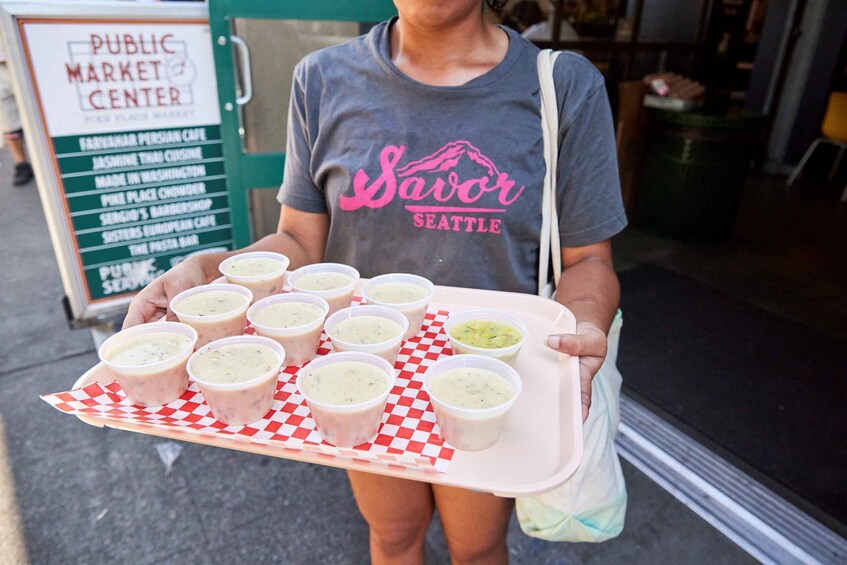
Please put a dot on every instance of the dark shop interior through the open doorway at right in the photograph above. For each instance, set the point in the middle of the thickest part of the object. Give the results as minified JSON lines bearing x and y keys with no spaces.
{"x":735,"y":188}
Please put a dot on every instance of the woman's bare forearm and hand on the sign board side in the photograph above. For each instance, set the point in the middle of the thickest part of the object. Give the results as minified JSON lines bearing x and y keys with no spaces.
{"x":301,"y":236}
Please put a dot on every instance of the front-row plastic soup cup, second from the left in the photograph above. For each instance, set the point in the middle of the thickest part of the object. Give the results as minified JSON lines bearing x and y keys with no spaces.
{"x":243,"y":401}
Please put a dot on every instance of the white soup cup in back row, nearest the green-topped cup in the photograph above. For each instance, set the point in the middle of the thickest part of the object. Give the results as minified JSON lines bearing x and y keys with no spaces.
{"x":408,"y":294}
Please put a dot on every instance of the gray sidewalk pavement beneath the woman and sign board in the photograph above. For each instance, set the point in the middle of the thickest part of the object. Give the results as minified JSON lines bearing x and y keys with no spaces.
{"x":92,"y":495}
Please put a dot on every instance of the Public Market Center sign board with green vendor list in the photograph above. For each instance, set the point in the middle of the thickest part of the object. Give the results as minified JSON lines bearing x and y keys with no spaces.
{"x":129,"y":111}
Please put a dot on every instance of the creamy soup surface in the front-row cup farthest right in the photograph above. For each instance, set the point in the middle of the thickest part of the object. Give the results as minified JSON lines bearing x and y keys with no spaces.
{"x":471,"y":387}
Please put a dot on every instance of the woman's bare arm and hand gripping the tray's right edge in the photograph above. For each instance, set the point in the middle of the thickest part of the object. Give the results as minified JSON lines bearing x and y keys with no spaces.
{"x":589,"y":288}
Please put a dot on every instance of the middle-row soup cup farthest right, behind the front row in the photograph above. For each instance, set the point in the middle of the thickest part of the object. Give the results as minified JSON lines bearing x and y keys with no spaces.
{"x":386,"y":345}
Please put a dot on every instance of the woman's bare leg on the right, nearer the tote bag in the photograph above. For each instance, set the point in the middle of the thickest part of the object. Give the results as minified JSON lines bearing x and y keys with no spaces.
{"x":475,"y":524}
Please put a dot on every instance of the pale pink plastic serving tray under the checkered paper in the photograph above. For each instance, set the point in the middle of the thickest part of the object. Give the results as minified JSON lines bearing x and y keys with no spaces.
{"x":541,"y":445}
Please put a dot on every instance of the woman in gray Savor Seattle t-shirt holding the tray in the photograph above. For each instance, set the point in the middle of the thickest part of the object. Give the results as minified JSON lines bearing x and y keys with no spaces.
{"x":418,"y":148}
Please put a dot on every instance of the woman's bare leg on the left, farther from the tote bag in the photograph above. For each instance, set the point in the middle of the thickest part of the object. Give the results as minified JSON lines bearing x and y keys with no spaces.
{"x":398,"y":512}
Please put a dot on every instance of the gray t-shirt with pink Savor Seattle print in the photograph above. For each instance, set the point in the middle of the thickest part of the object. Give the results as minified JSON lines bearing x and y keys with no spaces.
{"x":446,"y":182}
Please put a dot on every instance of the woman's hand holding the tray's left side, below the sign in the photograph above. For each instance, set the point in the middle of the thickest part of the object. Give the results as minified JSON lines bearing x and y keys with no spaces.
{"x":151,"y":304}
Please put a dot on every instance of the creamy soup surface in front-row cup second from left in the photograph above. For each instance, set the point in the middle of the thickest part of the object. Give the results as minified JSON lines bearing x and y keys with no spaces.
{"x":235,"y":363}
